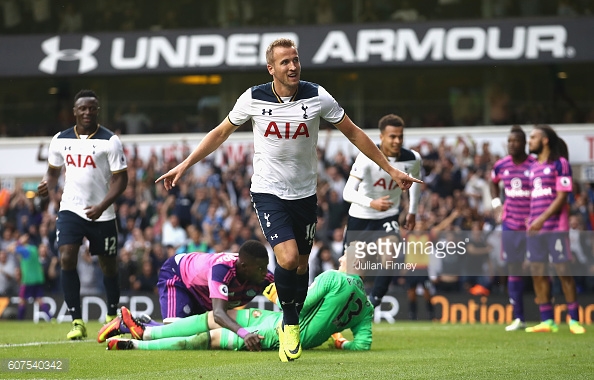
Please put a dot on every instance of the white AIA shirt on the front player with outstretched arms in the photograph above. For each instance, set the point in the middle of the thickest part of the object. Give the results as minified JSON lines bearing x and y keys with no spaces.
{"x":286,"y":136}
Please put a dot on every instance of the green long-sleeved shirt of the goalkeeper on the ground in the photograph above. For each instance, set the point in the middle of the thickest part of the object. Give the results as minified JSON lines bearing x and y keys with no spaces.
{"x":336,"y":301}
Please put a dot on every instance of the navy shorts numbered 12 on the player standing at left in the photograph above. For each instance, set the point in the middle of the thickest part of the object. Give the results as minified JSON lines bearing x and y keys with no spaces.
{"x":102,"y":236}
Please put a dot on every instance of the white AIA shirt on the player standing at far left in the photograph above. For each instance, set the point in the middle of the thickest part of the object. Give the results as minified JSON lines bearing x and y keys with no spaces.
{"x":89,"y":162}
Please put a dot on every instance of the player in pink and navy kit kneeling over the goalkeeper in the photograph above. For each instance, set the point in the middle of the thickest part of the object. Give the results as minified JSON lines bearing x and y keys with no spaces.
{"x":195,"y":283}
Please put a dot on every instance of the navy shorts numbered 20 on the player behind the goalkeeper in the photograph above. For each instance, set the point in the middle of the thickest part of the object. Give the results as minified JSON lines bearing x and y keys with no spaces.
{"x":370,"y":230}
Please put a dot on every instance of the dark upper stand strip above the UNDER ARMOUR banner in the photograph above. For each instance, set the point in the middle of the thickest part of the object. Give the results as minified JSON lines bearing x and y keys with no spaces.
{"x":70,"y":16}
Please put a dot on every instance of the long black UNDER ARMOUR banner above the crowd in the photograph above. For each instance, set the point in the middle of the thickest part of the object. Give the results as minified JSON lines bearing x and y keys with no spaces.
{"x":519,"y":41}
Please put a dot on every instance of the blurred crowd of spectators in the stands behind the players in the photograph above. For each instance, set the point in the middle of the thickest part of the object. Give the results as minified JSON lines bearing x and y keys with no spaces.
{"x":210,"y":211}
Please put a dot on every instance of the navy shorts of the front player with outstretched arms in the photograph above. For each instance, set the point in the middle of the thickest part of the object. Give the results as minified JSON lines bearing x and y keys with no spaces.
{"x":283,"y":220}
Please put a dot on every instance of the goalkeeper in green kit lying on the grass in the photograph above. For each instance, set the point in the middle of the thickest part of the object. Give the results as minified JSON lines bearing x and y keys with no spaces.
{"x":336,"y":301}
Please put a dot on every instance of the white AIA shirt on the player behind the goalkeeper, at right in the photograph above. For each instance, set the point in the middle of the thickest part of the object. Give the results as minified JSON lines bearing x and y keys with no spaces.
{"x":367,"y":181}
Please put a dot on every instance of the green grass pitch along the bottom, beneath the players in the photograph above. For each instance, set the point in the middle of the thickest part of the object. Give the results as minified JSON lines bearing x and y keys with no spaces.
{"x":405,"y":350}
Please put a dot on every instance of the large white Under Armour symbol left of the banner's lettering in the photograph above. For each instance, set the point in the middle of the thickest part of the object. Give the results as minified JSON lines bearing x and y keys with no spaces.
{"x":87,"y":62}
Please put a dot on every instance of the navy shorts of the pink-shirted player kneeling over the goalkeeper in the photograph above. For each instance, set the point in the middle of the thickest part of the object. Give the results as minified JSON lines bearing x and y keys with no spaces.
{"x":176,"y":300}
